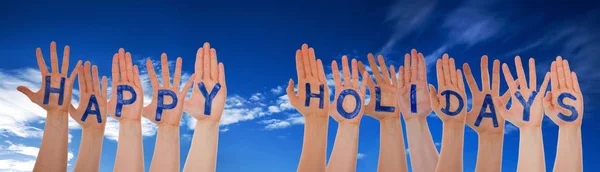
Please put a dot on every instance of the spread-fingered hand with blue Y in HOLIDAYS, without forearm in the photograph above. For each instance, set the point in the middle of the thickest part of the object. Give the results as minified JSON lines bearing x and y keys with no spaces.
{"x":517,"y":113}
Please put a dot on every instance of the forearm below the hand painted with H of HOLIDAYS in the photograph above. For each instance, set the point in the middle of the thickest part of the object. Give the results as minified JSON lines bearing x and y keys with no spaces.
{"x":314,"y":147}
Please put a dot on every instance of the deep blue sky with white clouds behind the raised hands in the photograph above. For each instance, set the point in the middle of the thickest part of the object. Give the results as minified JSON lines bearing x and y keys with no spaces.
{"x":256,"y":40}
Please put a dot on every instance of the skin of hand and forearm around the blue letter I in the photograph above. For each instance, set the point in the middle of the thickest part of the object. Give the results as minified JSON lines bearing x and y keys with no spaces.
{"x":420,"y":144}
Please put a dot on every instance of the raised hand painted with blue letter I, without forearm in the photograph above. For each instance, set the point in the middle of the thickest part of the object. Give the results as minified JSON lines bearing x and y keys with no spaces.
{"x":408,"y":78}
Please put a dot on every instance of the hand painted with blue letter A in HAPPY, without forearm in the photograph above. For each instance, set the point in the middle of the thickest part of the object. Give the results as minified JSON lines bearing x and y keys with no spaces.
{"x":89,"y":89}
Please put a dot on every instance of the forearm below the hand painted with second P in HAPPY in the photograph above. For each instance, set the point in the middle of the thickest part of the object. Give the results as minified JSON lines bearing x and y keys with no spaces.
{"x":166,"y":149}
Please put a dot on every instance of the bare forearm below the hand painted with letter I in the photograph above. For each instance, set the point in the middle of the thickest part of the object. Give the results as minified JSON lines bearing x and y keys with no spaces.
{"x":422,"y":149}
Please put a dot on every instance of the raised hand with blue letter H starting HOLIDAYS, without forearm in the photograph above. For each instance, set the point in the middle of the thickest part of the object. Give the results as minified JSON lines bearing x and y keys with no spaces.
{"x":310,"y":71}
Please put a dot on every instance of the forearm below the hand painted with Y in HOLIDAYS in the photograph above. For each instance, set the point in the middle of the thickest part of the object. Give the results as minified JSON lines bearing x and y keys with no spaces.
{"x":531,"y":150}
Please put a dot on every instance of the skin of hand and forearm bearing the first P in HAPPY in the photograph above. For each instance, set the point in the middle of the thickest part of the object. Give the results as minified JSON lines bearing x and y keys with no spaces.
{"x":130,"y":154}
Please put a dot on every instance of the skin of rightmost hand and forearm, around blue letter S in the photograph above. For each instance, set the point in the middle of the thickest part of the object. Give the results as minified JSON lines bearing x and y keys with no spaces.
{"x":569,"y":155}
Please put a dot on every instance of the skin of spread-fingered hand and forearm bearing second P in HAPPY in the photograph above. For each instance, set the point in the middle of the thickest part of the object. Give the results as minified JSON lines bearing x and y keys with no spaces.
{"x":166,"y":149}
